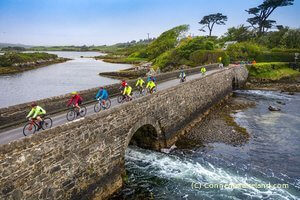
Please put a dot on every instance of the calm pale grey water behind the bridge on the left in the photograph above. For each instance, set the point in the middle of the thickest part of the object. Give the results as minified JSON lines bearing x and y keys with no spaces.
{"x":77,"y":74}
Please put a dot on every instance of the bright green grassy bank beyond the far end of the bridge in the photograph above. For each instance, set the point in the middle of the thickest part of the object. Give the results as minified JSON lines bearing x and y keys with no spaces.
{"x":272,"y":71}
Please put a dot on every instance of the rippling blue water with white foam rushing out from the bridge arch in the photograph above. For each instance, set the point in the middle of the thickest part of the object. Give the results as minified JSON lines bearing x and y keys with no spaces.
{"x":272,"y":156}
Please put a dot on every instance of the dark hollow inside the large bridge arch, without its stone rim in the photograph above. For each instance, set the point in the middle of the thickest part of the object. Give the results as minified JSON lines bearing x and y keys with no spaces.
{"x":145,"y":137}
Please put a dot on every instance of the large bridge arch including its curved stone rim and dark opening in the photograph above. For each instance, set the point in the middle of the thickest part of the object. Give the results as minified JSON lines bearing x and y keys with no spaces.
{"x":145,"y":133}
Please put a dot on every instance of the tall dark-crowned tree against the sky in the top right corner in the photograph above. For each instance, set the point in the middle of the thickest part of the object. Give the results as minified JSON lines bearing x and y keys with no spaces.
{"x":260,"y":21}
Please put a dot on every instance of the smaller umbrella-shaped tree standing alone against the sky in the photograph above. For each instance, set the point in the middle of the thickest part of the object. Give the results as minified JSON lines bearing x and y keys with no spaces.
{"x":210,"y":20}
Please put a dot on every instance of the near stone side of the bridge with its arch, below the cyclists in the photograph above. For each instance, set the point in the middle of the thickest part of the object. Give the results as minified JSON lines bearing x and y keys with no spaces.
{"x":85,"y":159}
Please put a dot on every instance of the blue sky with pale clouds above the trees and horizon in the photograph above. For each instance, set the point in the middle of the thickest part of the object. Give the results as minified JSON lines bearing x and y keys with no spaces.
{"x":98,"y":22}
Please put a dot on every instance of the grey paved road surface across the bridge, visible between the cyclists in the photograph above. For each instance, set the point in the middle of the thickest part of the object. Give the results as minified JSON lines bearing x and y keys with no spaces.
{"x":17,"y":133}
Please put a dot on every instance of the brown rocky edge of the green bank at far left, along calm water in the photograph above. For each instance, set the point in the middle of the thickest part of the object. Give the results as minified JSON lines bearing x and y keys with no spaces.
{"x":21,"y":67}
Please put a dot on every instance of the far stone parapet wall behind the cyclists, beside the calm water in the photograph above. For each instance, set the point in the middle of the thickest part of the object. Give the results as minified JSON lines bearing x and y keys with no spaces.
{"x":14,"y":115}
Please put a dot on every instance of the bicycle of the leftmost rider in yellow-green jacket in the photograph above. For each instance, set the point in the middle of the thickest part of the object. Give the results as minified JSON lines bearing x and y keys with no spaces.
{"x":32,"y":126}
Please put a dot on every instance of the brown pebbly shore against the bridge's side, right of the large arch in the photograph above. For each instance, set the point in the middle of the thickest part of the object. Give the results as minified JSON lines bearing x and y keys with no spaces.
{"x":217,"y":126}
